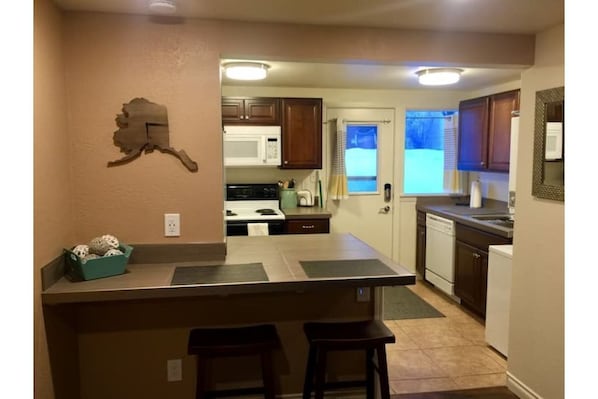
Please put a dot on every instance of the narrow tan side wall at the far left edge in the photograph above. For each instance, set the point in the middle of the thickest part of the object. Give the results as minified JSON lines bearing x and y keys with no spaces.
{"x":53,"y":209}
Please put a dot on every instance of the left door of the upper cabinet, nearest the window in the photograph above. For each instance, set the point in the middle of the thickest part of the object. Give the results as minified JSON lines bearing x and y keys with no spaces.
{"x":473,"y":136}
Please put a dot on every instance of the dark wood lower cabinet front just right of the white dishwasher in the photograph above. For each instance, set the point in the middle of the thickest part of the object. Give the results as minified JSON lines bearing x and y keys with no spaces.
{"x":471,"y":268}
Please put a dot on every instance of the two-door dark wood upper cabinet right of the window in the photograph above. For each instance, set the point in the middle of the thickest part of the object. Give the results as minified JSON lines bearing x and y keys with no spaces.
{"x":485,"y":131}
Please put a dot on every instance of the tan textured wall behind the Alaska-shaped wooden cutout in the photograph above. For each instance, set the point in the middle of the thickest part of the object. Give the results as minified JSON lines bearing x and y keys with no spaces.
{"x":111,"y":60}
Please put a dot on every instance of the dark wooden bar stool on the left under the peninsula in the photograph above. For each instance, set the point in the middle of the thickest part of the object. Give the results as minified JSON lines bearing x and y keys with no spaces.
{"x":209,"y":343}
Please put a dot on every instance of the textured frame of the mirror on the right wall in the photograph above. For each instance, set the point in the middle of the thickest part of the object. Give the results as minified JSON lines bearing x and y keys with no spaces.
{"x":539,"y":188}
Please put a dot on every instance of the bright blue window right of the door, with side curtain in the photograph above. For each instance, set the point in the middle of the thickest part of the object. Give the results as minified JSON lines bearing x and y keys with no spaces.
{"x":430,"y":150}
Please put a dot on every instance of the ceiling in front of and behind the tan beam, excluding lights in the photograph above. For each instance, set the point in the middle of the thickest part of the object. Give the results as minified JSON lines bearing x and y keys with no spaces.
{"x":490,"y":16}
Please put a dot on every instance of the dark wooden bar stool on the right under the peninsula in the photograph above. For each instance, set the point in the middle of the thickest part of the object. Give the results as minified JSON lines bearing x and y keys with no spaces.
{"x":371,"y":336}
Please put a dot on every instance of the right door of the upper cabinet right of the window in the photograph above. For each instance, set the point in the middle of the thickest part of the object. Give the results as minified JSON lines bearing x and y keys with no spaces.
{"x":499,"y":133}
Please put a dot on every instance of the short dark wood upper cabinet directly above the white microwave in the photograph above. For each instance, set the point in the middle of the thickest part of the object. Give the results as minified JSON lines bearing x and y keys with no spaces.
{"x":250,"y":110}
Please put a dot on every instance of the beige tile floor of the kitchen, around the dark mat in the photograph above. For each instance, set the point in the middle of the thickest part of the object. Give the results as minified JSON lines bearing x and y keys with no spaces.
{"x":442,"y":354}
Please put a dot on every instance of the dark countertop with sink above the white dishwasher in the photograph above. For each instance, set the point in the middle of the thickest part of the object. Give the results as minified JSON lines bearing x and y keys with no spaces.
{"x":447,"y":208}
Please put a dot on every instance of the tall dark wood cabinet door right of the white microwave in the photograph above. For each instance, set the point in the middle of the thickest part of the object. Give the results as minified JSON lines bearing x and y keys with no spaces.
{"x":301,"y":133}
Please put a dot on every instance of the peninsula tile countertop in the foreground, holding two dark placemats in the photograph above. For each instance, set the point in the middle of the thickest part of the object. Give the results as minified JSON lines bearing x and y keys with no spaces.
{"x":280,"y":256}
